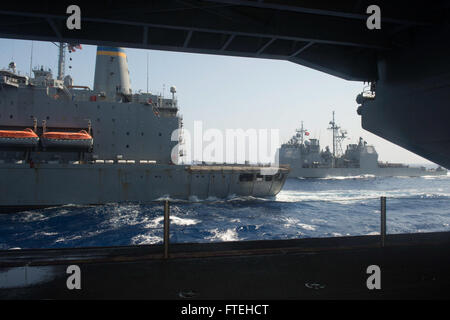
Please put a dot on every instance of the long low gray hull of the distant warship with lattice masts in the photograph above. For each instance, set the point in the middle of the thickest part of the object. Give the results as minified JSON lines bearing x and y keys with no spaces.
{"x":350,"y":172}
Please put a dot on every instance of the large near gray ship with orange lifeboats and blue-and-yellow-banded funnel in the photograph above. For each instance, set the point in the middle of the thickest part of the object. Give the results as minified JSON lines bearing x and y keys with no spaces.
{"x":62,"y":143}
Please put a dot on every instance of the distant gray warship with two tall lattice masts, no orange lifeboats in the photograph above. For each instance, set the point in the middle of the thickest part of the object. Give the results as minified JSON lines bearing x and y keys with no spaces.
{"x":307,"y":160}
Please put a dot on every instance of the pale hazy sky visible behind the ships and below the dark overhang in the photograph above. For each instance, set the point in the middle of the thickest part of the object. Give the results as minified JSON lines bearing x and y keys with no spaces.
{"x":229,"y":92}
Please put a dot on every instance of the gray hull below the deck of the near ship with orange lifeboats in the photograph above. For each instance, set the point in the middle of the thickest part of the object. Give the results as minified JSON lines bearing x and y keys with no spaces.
{"x":41,"y":185}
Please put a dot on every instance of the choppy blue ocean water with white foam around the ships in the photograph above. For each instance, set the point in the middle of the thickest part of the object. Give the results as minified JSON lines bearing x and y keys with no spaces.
{"x":328,"y":207}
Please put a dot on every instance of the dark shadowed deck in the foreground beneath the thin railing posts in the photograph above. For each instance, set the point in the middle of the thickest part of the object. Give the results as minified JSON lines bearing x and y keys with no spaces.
{"x":412,"y":266}
